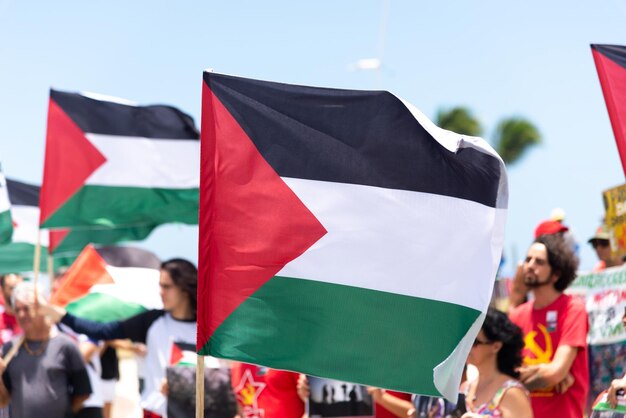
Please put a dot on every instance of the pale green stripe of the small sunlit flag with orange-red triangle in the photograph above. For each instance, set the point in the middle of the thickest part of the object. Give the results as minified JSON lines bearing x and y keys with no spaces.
{"x":101,"y":307}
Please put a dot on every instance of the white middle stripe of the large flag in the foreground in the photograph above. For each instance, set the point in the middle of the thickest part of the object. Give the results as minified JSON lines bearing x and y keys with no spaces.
{"x":419,"y":238}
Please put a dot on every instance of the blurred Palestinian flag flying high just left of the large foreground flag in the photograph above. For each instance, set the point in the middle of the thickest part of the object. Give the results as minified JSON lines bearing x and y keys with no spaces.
{"x":113,"y":164}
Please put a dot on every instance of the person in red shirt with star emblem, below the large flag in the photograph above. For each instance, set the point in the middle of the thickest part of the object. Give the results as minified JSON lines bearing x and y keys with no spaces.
{"x":266,"y":393}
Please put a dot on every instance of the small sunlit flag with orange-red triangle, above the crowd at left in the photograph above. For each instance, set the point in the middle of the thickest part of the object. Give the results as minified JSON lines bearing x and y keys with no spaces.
{"x":96,"y":290}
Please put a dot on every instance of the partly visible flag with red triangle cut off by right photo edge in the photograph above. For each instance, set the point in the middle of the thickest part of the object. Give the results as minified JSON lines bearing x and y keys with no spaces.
{"x":610,"y":62}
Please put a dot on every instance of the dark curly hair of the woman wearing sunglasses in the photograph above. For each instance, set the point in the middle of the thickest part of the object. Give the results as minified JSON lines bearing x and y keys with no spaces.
{"x":499,"y":328}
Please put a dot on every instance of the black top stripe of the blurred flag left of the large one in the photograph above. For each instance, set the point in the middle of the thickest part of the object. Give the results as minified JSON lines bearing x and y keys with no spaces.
{"x":110,"y":118}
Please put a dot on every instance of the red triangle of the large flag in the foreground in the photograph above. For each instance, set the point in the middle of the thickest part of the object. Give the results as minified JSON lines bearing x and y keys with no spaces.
{"x":251,"y":223}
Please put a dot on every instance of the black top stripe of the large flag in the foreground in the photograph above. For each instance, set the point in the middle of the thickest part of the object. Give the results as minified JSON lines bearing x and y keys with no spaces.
{"x":358,"y":137}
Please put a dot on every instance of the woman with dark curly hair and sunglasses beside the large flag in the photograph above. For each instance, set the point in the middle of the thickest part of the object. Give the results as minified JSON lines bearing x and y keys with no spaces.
{"x":497,"y":354}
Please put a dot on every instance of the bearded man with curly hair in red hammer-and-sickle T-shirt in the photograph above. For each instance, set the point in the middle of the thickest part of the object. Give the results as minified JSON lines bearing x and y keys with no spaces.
{"x":555,"y":330}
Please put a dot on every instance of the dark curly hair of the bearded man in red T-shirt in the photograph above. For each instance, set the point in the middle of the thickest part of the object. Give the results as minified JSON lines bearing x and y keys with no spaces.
{"x":562,"y":259}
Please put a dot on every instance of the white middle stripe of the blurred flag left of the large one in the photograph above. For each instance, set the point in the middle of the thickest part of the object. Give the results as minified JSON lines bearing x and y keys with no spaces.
{"x":149,"y":163}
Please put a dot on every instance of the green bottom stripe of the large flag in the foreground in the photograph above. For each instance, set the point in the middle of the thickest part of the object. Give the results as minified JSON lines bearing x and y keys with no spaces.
{"x":335,"y":331}
